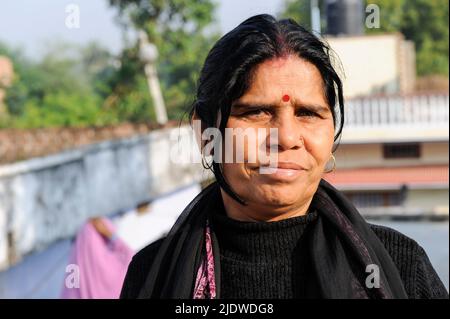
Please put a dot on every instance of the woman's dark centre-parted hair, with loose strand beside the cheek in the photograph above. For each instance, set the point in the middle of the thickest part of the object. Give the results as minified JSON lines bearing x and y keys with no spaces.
{"x":227,"y":72}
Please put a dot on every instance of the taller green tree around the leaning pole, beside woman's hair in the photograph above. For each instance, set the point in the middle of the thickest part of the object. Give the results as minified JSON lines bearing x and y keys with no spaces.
{"x":179,"y":29}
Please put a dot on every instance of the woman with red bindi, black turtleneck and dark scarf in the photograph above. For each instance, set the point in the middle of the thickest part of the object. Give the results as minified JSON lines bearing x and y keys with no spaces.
{"x":287,"y":233}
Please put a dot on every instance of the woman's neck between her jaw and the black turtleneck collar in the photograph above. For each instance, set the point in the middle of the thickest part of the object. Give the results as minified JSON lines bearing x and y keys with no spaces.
{"x":262,"y":212}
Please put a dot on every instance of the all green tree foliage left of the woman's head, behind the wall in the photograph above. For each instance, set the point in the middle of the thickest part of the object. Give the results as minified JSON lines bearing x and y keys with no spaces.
{"x":85,"y":86}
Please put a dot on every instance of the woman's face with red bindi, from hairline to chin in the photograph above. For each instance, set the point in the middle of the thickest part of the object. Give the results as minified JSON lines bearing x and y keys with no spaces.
{"x":286,"y":94}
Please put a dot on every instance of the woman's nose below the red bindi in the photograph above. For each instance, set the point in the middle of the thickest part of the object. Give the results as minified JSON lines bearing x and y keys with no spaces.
{"x":289,"y":132}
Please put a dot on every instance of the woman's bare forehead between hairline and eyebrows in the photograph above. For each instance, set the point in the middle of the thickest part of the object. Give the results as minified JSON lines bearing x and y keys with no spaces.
{"x":290,"y":75}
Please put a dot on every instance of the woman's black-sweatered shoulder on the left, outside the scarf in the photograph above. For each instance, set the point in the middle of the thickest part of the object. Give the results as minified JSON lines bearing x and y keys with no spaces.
{"x":138,"y":270}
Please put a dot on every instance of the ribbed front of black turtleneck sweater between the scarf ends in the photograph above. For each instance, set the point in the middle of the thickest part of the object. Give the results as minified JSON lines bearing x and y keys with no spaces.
{"x":257,"y":258}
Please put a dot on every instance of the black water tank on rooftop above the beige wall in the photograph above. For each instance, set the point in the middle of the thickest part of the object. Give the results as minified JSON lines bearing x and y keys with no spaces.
{"x":345,"y":17}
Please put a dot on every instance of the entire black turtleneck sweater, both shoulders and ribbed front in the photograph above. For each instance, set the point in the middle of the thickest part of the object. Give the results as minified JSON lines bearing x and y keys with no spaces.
{"x":265,"y":260}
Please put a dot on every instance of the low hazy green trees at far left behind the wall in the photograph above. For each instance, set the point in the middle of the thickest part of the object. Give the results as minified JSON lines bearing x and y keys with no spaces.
{"x":55,"y":91}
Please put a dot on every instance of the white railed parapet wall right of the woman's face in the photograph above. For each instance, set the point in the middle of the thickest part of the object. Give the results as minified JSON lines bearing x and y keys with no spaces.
{"x":396,"y":118}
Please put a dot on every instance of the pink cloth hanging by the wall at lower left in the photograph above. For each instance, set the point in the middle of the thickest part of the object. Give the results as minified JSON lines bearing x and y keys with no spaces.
{"x":102,"y":264}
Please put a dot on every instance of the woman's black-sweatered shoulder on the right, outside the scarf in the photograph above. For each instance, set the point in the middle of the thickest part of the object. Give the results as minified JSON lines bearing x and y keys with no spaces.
{"x":418,"y":275}
